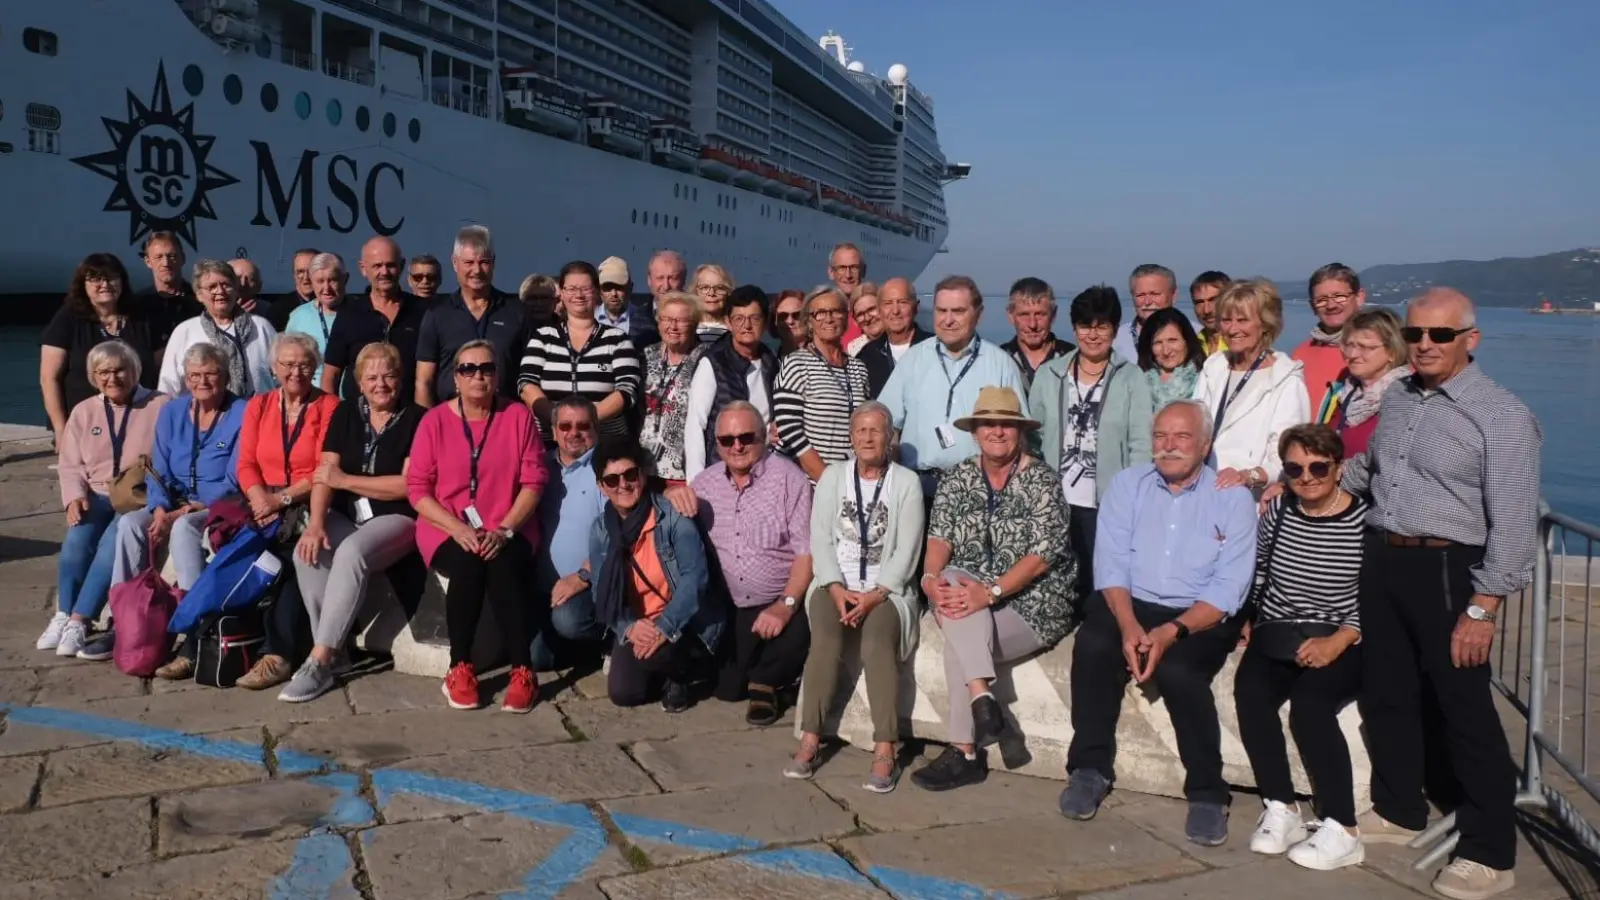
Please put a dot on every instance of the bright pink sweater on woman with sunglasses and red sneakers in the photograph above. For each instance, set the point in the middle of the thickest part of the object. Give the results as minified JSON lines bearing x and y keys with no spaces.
{"x":441,"y":468}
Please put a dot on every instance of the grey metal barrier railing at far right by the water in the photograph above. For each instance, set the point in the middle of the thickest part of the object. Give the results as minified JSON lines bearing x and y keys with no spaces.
{"x":1564,"y":577}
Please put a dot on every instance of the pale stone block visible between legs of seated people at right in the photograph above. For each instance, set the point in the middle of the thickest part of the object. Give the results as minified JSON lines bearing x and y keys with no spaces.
{"x":1036,"y":694}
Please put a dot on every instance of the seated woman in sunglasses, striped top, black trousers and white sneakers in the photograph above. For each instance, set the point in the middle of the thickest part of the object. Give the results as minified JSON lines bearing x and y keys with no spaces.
{"x":1305,"y":651}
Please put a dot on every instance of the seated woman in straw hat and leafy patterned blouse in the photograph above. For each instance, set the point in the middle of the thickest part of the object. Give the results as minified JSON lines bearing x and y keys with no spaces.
{"x":999,"y":576}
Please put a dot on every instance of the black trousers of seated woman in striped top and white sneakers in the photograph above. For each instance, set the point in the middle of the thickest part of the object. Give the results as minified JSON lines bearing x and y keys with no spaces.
{"x":1316,"y":697}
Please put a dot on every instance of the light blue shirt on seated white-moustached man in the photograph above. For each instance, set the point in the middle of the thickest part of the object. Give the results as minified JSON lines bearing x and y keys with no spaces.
{"x":1175,"y":550}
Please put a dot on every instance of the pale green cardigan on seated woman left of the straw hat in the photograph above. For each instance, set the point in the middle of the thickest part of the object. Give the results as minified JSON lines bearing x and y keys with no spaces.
{"x":903,"y":540}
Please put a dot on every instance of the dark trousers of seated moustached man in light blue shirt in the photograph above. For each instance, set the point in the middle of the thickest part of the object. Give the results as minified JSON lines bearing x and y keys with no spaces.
{"x":1100,"y":673}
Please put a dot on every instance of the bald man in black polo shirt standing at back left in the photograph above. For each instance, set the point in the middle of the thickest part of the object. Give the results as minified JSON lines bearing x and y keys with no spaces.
{"x":383,"y":315}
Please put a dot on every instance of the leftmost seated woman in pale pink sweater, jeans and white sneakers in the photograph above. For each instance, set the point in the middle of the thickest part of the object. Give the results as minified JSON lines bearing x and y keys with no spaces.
{"x":103,"y":435}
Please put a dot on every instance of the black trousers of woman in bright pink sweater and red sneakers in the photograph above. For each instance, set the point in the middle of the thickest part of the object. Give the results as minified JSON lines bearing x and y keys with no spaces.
{"x":503,"y":584}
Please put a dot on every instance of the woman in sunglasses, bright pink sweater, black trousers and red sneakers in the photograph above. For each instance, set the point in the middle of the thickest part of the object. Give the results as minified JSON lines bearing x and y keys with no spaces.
{"x":476,"y":475}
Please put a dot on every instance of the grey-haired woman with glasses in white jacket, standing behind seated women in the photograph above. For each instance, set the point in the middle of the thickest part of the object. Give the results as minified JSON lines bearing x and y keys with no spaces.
{"x":242,"y":337}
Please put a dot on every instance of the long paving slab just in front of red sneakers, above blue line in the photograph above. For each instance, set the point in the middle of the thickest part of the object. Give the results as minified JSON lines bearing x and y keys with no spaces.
{"x":391,"y":737}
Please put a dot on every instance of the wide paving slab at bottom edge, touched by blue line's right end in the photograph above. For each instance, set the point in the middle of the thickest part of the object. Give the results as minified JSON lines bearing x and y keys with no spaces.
{"x":1023,"y":858}
